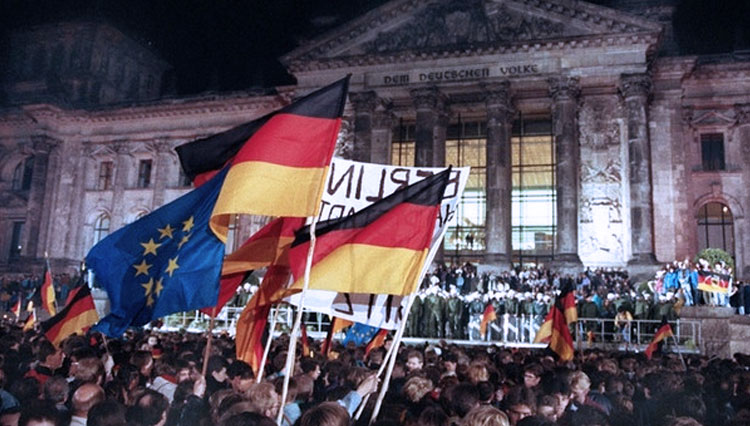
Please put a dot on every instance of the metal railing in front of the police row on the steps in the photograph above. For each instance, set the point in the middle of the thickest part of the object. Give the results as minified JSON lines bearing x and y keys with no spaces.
{"x":507,"y":330}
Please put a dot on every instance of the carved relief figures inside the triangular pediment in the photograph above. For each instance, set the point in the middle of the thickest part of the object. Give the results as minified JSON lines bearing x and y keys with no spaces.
{"x":463,"y":23}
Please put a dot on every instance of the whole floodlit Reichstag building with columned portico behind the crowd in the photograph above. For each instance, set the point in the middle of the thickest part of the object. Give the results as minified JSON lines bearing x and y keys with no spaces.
{"x":591,"y":141}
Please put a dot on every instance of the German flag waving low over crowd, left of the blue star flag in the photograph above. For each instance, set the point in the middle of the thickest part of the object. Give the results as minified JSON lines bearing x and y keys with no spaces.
{"x":76,"y":317}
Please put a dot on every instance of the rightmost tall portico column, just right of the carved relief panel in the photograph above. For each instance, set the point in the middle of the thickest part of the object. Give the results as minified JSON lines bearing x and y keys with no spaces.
{"x":635,"y":90}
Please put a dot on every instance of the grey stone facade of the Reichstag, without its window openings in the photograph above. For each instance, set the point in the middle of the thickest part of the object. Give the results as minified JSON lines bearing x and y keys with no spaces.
{"x":627,"y":123}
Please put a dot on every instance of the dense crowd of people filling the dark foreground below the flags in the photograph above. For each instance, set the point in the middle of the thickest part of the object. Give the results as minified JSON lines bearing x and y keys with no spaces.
{"x":149,"y":378}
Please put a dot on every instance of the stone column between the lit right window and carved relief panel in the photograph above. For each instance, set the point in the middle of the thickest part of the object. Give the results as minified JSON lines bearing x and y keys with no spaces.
{"x":564,"y":91}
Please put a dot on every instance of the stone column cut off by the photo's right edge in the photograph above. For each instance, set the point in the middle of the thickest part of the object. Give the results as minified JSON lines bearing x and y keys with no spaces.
{"x":741,"y":240}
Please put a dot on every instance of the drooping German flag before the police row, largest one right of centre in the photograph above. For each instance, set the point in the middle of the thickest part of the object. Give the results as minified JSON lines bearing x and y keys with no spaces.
{"x":555,"y":329}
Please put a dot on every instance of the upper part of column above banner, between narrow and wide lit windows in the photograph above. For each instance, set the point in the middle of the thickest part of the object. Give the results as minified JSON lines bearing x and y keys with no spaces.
{"x":429,"y":139}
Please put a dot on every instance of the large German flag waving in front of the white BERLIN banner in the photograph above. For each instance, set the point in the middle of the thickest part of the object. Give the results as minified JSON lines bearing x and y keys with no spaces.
{"x":379,"y":250}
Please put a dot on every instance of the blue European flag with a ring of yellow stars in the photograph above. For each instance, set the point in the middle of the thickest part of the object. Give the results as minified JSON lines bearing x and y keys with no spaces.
{"x":165,"y":262}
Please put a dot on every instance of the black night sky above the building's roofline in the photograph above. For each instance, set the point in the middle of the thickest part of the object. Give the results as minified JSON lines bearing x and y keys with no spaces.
{"x":234,"y":44}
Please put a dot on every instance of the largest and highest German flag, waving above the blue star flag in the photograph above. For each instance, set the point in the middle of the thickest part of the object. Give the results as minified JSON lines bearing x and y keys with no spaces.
{"x":281,"y":164}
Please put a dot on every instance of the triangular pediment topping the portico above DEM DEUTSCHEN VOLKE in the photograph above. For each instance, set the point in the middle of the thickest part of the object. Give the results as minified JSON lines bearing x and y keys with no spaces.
{"x":449,"y":25}
